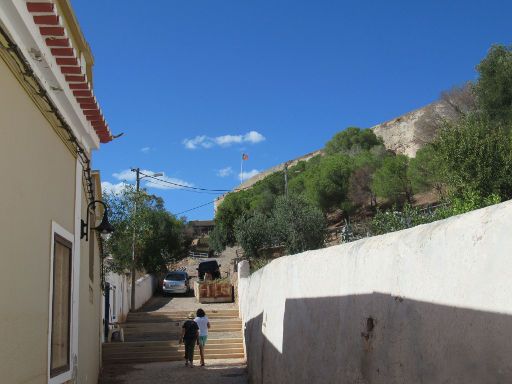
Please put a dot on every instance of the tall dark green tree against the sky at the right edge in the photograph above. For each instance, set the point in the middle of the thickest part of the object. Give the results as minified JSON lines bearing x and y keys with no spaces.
{"x":494,"y":85}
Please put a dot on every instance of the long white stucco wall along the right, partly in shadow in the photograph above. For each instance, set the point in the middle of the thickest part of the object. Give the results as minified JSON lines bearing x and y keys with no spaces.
{"x":432,"y":304}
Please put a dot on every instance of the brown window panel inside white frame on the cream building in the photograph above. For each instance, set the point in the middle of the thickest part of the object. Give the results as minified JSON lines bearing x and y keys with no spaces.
{"x":61,"y":306}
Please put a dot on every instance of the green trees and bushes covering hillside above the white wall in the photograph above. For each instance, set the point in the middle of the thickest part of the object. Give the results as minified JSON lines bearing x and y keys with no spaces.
{"x":467,"y":165}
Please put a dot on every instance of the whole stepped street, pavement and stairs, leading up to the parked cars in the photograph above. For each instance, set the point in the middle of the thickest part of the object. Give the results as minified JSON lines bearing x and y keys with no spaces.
{"x":150,"y":352}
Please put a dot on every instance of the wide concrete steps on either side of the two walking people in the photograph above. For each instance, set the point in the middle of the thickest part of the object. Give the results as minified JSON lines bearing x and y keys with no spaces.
{"x":153,"y":336}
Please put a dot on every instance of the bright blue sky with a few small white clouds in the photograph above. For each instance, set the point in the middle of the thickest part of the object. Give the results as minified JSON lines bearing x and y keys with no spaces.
{"x":194,"y":84}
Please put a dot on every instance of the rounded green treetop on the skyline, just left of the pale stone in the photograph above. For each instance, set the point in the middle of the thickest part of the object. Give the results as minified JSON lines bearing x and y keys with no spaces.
{"x":352,"y":141}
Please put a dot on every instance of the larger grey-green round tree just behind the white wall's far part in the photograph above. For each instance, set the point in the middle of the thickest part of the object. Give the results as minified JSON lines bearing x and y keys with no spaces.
{"x":297,"y":224}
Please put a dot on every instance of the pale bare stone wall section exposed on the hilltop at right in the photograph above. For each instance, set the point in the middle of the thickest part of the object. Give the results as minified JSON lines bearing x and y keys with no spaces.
{"x":408,"y":133}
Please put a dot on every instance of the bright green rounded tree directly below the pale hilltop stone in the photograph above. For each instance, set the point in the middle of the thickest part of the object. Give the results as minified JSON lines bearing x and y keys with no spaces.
{"x":391,"y":180}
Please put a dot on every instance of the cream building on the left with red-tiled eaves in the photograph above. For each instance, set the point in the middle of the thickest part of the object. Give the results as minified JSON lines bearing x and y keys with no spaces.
{"x":50,"y":123}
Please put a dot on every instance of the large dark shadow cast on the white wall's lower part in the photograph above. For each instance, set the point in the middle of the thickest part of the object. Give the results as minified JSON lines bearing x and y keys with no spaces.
{"x":377,"y":338}
